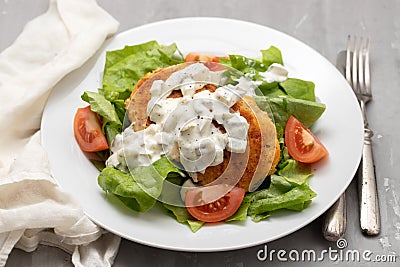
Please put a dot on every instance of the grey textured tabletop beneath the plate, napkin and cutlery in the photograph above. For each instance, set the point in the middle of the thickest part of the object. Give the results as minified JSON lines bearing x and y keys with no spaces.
{"x":322,"y":24}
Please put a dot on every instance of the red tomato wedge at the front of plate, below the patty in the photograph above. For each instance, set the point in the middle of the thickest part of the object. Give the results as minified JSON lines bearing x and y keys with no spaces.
{"x":217,"y":210}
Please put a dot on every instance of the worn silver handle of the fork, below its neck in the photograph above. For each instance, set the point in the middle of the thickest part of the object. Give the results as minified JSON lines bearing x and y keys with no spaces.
{"x":369,"y":206}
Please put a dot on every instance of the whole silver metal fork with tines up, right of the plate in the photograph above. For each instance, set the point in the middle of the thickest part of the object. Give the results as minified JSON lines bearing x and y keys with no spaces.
{"x":358,"y":76}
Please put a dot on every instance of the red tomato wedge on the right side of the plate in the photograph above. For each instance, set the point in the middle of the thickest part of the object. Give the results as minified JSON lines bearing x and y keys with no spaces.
{"x":302,"y":144}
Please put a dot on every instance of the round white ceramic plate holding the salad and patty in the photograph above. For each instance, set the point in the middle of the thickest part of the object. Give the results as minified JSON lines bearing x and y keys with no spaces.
{"x":340,"y":129}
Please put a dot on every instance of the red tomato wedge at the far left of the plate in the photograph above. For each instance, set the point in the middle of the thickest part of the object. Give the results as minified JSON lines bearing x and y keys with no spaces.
{"x":87,"y":131}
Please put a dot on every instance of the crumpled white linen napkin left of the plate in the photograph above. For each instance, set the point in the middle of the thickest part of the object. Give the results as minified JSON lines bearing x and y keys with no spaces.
{"x":33,"y":208}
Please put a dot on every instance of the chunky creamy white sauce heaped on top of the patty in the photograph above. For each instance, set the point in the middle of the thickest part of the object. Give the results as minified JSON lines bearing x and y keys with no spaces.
{"x":186,"y":129}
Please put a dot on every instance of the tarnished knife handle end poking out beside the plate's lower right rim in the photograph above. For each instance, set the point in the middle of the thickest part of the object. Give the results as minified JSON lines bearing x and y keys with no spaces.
{"x":334,"y":224}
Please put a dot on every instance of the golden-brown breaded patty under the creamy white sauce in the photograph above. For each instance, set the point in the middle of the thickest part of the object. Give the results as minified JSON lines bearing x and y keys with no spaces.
{"x":246,"y":170}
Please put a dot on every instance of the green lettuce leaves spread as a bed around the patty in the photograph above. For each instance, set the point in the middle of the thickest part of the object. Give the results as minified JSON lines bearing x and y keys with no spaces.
{"x":286,"y":189}
